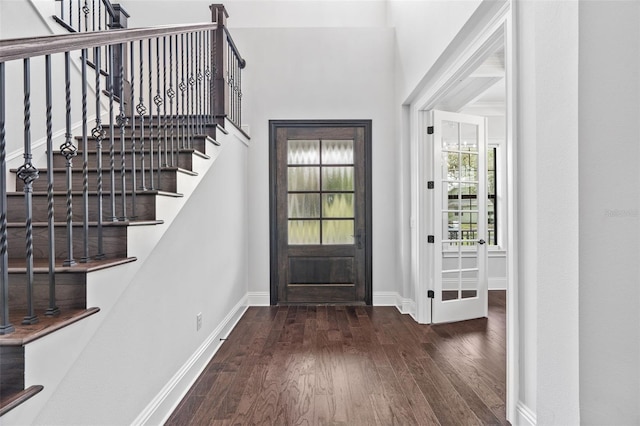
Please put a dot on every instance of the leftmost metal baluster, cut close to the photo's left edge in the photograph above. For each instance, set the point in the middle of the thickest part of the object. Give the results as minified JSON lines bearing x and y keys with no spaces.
{"x":5,"y":325}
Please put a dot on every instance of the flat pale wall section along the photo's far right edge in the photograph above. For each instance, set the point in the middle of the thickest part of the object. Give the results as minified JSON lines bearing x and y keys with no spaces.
{"x":609,"y":212}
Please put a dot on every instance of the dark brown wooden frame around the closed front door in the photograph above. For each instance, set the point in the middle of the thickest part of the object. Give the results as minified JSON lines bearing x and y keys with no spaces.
{"x":274,"y":125}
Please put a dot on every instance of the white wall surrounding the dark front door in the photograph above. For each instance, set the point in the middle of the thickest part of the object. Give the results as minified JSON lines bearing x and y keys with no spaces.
{"x":321,"y":73}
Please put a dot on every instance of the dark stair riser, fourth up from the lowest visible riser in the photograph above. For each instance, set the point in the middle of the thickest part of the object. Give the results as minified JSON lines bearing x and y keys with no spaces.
{"x":145,"y":207}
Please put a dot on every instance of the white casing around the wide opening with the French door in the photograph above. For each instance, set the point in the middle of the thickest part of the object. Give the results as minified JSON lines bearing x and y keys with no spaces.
{"x":491,"y":24}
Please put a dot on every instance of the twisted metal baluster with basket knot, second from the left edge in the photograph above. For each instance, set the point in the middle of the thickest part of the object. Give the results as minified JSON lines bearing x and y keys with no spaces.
{"x":28,"y":173}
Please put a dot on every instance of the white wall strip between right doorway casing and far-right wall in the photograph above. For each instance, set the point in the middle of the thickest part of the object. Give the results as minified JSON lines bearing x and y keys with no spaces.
{"x":548,"y":215}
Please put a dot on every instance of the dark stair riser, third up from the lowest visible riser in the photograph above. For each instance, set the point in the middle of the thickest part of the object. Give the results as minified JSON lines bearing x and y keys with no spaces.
{"x":114,"y":242}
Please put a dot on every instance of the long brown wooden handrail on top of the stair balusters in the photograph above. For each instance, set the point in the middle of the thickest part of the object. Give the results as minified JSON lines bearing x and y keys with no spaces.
{"x":29,"y":47}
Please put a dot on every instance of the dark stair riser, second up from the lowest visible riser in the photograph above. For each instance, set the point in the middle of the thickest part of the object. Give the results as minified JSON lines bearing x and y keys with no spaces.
{"x":71,"y":292}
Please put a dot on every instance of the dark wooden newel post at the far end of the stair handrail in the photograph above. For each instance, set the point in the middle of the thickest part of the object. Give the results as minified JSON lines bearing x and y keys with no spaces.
{"x":219,"y":66}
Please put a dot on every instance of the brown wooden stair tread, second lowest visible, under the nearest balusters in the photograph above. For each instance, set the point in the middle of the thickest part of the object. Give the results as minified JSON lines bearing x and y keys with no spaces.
{"x":28,"y":333}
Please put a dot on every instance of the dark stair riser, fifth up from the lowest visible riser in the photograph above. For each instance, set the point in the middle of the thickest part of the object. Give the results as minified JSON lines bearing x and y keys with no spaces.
{"x":167,"y":181}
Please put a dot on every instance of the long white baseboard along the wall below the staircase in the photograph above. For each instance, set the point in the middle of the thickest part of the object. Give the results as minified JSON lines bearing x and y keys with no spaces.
{"x":161,"y":407}
